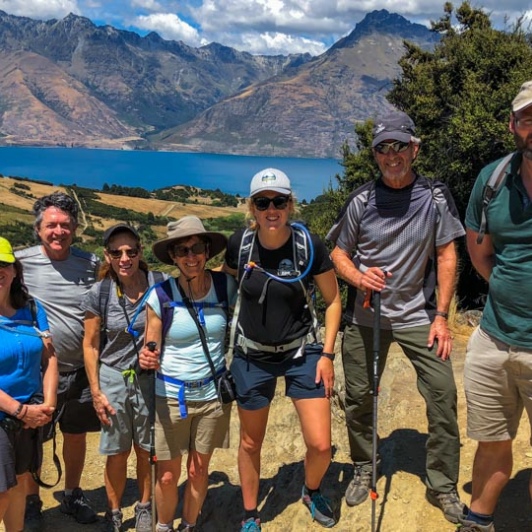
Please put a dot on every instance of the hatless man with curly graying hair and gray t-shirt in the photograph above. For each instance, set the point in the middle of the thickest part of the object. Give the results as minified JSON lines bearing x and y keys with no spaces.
{"x":59,"y":276}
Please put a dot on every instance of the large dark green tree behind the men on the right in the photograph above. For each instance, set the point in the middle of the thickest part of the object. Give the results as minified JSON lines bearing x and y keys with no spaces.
{"x":459,"y":96}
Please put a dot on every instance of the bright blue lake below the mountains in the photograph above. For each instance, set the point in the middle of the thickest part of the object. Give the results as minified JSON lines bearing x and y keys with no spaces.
{"x":152,"y":170}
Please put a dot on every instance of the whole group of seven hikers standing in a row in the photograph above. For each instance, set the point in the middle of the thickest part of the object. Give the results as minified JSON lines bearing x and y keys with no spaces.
{"x":141,"y":356}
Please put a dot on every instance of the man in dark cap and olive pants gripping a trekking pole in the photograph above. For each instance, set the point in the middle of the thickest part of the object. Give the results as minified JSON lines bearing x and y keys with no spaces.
{"x":396,"y":236}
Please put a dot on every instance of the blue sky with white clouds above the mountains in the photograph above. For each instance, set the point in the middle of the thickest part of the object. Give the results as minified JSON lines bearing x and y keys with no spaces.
{"x":256,"y":26}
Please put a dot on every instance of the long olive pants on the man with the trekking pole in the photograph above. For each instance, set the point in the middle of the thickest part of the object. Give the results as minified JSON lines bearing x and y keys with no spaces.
{"x":435,"y":382}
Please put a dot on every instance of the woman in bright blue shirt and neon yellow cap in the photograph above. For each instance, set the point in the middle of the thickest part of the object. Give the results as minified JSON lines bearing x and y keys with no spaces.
{"x":26,"y":352}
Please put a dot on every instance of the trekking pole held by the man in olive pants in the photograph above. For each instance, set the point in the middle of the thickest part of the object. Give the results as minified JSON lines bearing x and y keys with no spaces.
{"x":376,"y":349}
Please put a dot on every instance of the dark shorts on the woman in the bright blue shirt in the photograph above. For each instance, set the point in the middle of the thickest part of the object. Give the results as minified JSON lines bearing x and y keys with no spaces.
{"x":17,"y":455}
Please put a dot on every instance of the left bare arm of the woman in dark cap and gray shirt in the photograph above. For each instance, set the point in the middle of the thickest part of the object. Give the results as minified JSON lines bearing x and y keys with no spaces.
{"x":91,"y":355}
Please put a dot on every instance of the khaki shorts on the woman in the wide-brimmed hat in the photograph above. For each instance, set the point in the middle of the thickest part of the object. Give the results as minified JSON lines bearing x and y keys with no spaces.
{"x":205,"y":428}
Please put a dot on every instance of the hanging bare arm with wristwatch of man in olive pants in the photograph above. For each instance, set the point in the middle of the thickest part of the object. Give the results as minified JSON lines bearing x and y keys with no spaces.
{"x":439,"y":330}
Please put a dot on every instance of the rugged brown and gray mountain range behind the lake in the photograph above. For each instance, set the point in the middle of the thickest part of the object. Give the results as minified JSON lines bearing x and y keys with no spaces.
{"x":69,"y":82}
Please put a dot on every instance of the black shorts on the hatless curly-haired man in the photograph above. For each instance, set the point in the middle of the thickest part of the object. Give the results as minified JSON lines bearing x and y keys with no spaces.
{"x":74,"y":404}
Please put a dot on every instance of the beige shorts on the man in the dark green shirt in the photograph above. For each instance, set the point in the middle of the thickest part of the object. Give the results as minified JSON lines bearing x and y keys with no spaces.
{"x":498,"y":385}
